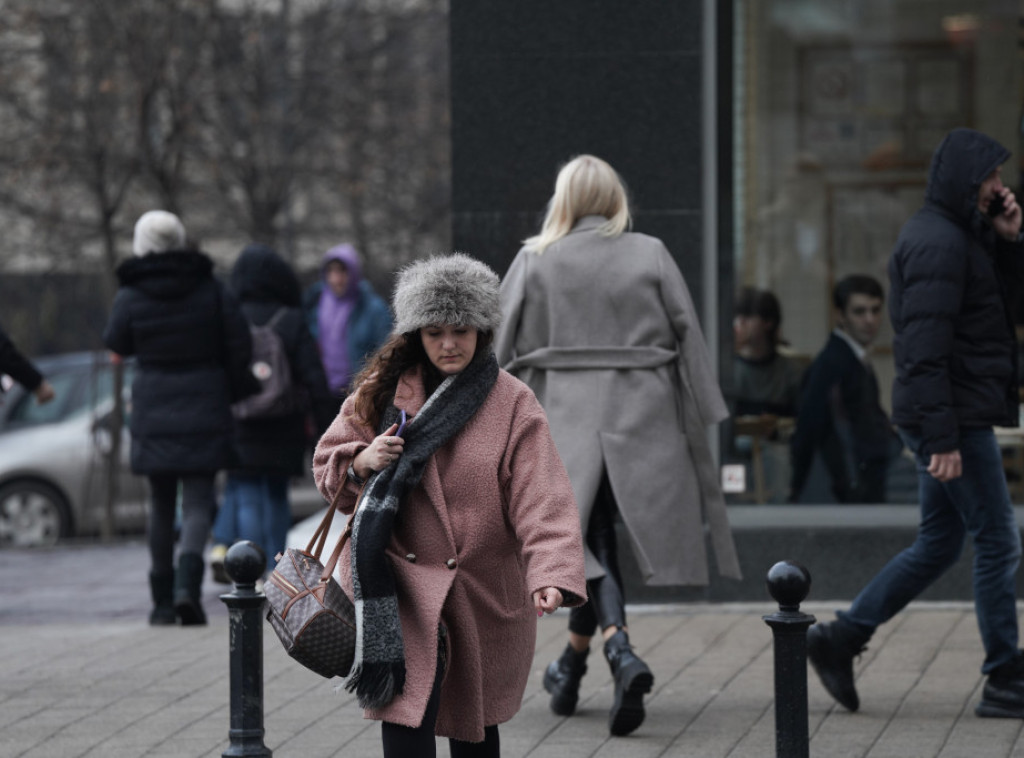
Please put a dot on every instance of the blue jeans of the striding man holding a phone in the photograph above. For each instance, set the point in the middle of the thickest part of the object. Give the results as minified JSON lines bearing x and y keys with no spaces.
{"x":976,"y":504}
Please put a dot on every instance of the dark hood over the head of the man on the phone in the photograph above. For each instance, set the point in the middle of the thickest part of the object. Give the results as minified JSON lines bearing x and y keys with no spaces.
{"x":962,"y":162}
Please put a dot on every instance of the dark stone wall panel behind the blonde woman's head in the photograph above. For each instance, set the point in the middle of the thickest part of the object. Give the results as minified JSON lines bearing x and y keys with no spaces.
{"x":535,"y":83}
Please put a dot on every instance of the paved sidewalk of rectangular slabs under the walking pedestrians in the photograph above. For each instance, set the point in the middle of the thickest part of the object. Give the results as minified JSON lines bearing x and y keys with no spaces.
{"x":82,"y":675}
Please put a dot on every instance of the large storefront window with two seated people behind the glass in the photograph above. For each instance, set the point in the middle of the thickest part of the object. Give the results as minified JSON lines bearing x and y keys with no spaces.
{"x":839,"y":107}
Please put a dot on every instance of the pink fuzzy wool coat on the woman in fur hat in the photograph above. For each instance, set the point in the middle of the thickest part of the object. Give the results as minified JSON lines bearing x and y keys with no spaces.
{"x":492,"y":522}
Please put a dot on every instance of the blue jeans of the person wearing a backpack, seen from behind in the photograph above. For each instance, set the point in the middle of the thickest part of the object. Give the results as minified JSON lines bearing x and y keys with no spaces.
{"x":255,"y":508}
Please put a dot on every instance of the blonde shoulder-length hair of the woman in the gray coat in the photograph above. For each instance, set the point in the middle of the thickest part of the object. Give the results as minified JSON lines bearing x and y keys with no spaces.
{"x":586,"y":187}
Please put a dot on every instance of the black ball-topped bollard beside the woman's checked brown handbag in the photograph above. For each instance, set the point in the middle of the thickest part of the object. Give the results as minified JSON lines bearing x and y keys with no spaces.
{"x":245,"y":564}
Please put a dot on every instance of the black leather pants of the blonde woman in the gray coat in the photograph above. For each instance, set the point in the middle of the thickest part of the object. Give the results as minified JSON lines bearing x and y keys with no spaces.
{"x":607,"y":607}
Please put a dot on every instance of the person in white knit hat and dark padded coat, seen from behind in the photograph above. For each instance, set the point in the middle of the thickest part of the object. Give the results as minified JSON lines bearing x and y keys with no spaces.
{"x":193,"y":350}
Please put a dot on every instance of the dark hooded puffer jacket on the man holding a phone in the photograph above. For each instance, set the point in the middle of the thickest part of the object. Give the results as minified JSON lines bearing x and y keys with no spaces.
{"x":952,"y":281}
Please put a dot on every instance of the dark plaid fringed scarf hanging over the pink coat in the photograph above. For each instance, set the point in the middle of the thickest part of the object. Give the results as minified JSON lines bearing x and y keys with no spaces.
{"x":379,"y":669}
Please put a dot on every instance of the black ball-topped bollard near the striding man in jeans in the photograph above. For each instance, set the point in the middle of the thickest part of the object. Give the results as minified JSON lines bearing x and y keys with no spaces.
{"x":789,"y":583}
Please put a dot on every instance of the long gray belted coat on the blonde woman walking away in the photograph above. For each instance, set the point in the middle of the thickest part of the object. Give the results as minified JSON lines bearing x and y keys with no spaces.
{"x":604,"y":330}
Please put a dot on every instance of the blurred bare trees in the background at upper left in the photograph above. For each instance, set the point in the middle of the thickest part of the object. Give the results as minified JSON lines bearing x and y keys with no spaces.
{"x":300,"y":123}
